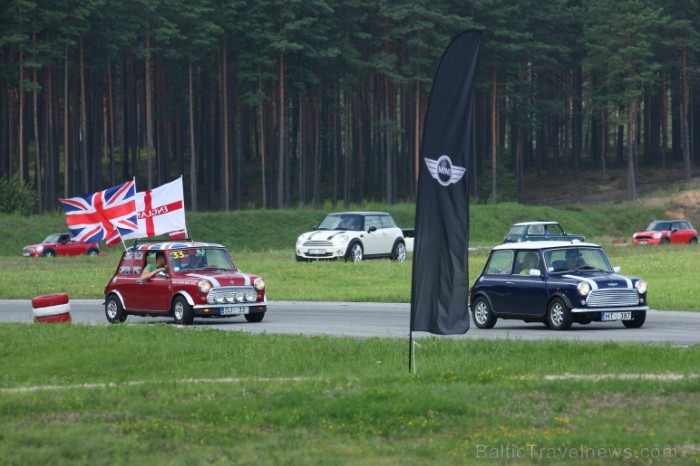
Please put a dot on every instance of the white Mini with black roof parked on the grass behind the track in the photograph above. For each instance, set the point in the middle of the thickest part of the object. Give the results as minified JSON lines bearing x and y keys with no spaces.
{"x":353,"y":236}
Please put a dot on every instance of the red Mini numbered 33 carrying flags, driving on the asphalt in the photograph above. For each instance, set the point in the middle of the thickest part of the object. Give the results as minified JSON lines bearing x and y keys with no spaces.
{"x":198,"y":280}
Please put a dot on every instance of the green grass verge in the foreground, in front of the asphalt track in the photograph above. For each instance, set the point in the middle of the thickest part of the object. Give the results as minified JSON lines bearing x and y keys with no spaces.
{"x":158,"y":394}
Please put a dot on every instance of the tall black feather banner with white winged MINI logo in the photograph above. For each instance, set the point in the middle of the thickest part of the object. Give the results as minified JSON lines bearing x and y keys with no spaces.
{"x":440,"y":275}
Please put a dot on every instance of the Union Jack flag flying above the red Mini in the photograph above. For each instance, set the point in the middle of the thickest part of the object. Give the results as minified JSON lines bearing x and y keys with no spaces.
{"x":104,"y":215}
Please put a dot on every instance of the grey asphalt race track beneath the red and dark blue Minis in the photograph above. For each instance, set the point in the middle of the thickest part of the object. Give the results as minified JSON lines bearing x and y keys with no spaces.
{"x":364,"y":320}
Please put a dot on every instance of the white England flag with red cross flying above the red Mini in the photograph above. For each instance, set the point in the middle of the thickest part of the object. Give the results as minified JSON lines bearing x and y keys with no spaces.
{"x":160,"y":210}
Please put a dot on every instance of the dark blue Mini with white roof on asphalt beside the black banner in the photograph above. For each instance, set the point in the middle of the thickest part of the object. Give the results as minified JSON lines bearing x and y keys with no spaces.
{"x":557,"y":283}
